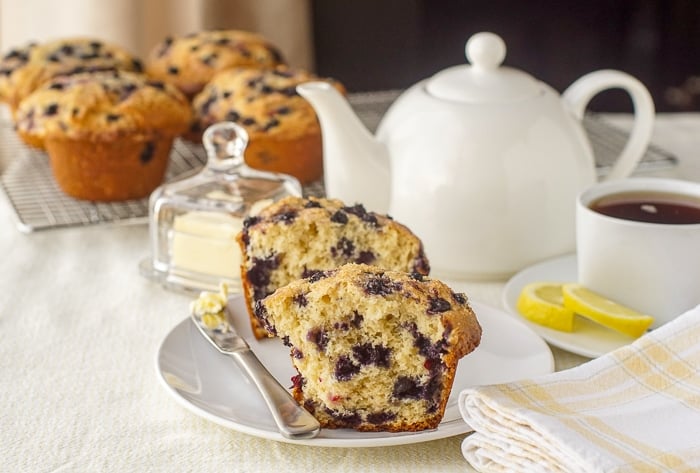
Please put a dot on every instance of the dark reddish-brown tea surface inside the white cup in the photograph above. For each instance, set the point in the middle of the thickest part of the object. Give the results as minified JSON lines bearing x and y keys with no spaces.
{"x":650,"y":206}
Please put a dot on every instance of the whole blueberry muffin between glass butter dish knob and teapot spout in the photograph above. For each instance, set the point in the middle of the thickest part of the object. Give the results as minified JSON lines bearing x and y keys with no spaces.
{"x":285,"y":135}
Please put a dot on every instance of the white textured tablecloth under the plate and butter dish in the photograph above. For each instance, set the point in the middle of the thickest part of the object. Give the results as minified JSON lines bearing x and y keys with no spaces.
{"x":79,"y":330}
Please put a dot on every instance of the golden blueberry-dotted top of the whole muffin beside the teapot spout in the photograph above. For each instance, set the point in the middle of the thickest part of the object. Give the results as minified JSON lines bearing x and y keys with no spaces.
{"x":264,"y":102}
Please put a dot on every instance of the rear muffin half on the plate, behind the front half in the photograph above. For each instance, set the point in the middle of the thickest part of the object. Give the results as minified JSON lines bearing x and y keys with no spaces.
{"x":298,"y":237}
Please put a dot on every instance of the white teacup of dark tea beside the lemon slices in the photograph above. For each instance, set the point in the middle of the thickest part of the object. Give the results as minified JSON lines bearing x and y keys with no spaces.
{"x":651,"y":267}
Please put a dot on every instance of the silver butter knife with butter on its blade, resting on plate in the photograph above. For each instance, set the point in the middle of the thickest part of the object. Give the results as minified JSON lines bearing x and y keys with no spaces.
{"x":293,"y":421}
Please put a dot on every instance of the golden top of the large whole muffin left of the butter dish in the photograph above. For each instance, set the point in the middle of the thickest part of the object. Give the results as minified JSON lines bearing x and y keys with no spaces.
{"x":102,"y":105}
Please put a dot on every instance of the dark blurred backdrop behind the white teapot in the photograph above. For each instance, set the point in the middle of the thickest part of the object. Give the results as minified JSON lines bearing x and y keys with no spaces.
{"x":394,"y":43}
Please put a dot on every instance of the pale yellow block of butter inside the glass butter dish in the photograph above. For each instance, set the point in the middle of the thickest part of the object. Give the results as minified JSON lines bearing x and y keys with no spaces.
{"x":205,"y":242}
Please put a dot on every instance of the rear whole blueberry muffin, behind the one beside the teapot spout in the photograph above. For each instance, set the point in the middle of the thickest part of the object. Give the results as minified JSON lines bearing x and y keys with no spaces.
{"x":191,"y":61}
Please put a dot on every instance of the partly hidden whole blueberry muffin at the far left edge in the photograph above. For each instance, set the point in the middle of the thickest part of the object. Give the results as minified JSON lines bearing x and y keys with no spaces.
{"x":24,"y":69}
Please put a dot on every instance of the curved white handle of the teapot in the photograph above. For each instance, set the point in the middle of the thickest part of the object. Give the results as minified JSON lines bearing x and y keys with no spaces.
{"x":582,"y":91}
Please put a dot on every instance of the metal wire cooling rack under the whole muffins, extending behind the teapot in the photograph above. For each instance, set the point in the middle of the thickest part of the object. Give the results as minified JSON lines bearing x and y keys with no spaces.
{"x":39,"y":204}
